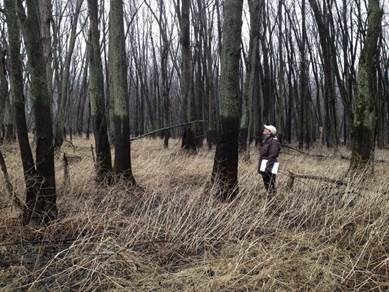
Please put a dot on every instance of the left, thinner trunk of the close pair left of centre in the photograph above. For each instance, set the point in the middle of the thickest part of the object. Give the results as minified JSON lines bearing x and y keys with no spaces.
{"x":96,"y":93}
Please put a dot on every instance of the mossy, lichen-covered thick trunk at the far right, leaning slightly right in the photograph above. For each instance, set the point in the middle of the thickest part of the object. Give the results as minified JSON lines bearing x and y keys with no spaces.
{"x":363,"y":138}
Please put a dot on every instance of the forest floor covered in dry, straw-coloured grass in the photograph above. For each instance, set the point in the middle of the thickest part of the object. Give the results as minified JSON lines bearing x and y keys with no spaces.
{"x":173,"y":235}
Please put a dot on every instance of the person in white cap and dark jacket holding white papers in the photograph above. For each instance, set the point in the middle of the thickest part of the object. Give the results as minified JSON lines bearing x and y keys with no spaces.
{"x":268,"y":163}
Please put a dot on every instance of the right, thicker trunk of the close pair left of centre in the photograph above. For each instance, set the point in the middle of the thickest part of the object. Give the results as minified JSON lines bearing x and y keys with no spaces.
{"x":118,"y":90}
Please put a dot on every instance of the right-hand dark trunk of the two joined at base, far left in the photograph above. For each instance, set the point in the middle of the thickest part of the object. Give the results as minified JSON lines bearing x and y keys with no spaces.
{"x":45,"y":205}
